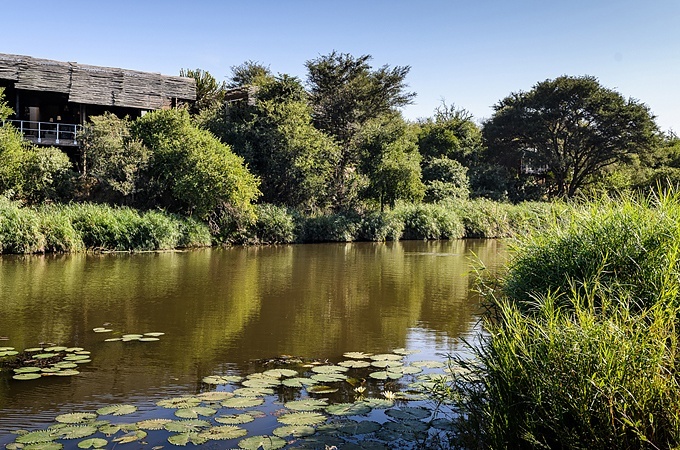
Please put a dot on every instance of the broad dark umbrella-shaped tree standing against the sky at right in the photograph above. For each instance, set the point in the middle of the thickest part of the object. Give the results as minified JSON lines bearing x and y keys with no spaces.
{"x":566,"y":131}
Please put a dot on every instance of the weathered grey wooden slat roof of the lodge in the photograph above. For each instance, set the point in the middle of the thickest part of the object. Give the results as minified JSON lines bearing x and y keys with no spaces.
{"x":95,"y":85}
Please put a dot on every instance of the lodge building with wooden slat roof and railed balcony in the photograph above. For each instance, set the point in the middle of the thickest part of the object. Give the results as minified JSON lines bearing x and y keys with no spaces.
{"x":53,"y":99}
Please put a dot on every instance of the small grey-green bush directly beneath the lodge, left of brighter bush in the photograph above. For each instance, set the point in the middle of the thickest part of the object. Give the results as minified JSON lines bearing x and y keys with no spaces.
{"x":115,"y":160}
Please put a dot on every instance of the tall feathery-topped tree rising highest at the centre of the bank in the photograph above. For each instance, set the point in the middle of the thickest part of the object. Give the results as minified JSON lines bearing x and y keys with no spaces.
{"x":346,"y":93}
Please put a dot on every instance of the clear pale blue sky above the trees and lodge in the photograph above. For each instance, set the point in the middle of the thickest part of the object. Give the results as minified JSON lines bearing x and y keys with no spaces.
{"x":470,"y":54}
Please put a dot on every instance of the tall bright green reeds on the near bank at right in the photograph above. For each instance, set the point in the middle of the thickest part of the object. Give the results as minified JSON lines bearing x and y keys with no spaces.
{"x":582,"y":344}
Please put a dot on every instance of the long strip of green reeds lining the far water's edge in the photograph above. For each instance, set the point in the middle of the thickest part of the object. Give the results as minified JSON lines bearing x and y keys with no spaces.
{"x":80,"y":227}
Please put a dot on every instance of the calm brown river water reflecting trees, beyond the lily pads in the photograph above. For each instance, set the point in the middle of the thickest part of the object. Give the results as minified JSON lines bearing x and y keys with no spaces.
{"x":223,"y":308}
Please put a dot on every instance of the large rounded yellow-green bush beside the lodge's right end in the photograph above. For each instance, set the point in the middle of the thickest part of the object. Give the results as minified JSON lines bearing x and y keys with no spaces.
{"x":191,"y":171}
